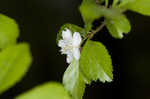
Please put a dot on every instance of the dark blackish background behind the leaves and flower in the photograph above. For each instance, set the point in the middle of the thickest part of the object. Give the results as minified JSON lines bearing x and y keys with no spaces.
{"x":40,"y":20}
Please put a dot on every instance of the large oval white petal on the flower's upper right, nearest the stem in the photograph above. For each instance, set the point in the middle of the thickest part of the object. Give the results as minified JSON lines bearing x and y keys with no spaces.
{"x":76,"y":39}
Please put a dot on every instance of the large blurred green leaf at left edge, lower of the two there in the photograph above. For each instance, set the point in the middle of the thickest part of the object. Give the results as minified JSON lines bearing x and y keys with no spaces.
{"x":14,"y":63}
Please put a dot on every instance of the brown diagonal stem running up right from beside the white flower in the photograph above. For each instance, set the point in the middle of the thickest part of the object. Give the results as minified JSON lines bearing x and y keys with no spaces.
{"x":91,"y":34}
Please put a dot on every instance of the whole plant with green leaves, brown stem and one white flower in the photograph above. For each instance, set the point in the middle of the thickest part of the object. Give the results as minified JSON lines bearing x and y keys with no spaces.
{"x":88,"y":60}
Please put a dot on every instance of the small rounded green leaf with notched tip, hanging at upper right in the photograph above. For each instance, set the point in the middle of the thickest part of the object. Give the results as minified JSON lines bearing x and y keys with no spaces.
{"x":117,"y":26}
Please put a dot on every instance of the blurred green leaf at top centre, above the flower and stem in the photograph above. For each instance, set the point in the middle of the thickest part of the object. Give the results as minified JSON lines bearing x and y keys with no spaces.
{"x":91,"y":11}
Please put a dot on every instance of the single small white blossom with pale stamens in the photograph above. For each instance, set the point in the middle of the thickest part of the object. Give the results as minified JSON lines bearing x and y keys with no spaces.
{"x":70,"y":45}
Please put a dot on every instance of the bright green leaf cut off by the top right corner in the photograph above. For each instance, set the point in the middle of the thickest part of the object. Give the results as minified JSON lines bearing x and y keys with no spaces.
{"x":139,"y":6}
